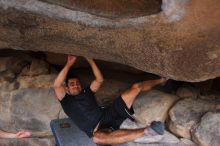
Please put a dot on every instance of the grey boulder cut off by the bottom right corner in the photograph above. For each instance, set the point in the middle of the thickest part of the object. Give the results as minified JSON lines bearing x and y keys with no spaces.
{"x":207,"y":133}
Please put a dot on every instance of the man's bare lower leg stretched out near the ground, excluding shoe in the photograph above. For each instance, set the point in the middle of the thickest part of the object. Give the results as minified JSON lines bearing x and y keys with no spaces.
{"x":118,"y":136}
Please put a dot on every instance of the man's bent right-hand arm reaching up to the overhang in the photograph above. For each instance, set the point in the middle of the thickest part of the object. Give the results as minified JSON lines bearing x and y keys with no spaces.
{"x":96,"y":84}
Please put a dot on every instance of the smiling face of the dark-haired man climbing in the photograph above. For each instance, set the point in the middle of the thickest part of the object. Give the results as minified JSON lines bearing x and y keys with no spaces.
{"x":74,"y":86}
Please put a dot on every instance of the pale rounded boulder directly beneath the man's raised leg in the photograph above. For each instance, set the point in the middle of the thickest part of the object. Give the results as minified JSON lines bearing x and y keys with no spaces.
{"x":153,"y":106}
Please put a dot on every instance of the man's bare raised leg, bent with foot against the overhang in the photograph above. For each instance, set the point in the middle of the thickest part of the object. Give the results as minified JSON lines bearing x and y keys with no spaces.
{"x":130,"y":95}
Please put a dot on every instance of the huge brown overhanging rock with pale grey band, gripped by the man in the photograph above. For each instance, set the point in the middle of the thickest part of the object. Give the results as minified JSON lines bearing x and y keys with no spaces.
{"x":181,"y":42}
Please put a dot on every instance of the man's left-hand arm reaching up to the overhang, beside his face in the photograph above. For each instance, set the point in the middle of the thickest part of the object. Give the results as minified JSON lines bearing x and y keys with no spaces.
{"x":58,"y":83}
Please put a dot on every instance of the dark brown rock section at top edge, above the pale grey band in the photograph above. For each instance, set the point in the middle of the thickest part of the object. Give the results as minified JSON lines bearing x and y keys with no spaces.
{"x":113,"y":8}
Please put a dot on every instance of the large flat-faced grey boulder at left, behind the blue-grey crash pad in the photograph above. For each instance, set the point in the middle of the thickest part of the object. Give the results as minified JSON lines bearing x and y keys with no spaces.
{"x":31,"y":109}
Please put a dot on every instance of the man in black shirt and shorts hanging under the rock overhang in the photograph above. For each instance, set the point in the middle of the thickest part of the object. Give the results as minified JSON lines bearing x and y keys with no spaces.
{"x":80,"y":105}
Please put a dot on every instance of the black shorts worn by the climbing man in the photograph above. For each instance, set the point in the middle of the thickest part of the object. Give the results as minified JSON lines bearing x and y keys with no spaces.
{"x":115,"y":114}
